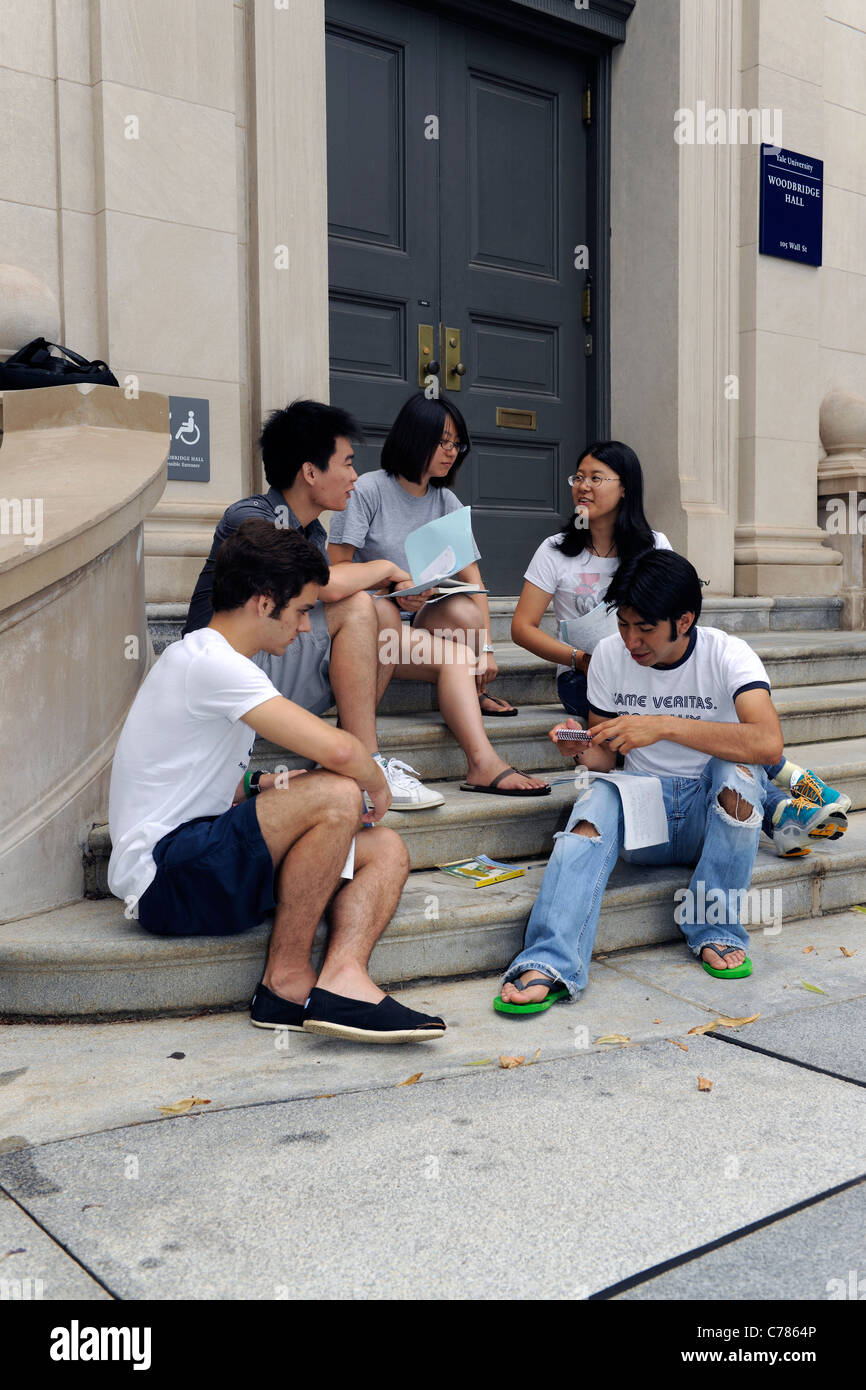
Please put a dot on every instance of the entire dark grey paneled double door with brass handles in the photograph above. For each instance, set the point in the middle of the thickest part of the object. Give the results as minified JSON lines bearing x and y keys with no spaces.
{"x":457,"y":199}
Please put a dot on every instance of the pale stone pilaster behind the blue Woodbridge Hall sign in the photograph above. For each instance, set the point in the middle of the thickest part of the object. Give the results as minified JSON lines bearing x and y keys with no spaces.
{"x":778,"y":546}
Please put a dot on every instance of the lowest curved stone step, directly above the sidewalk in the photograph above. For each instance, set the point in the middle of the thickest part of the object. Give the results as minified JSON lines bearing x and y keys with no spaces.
{"x":88,"y":961}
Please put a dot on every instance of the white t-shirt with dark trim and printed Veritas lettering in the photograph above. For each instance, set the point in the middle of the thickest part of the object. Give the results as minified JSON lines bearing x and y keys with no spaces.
{"x":704,"y":685}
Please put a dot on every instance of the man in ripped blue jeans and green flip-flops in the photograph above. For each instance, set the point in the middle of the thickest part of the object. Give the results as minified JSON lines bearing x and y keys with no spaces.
{"x":687,"y":705}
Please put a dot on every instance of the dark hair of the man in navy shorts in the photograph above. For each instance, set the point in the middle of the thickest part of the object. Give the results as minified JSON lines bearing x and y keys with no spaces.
{"x":261,"y":558}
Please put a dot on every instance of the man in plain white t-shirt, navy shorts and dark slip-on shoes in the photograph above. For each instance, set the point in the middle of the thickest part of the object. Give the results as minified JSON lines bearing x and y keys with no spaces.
{"x":197,"y":851}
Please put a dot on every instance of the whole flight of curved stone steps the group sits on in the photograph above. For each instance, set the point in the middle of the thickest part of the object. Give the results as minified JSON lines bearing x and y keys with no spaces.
{"x":88,"y":961}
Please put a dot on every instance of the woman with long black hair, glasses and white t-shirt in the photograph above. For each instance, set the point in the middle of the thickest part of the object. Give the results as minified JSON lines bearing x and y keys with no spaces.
{"x":575,"y":568}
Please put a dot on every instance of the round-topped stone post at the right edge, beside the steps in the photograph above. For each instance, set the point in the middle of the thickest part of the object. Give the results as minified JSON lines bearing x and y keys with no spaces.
{"x":842,"y":487}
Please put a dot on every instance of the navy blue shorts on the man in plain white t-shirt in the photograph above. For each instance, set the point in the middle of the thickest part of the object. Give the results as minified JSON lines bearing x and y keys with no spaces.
{"x":215,"y":878}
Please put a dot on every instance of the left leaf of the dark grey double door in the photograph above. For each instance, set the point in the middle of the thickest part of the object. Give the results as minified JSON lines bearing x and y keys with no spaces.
{"x":383,"y":191}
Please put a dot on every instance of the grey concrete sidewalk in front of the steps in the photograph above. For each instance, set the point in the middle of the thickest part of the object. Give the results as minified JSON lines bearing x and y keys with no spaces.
{"x":313,"y":1174}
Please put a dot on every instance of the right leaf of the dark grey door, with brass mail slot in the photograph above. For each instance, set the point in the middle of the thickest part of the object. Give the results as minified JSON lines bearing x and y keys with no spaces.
{"x":509,"y":281}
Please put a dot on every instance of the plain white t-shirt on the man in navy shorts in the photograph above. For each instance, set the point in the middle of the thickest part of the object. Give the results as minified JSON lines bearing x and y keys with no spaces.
{"x":183,"y":750}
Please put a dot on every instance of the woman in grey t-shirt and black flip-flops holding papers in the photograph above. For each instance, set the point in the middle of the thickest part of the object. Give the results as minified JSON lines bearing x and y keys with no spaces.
{"x":448,"y":643}
